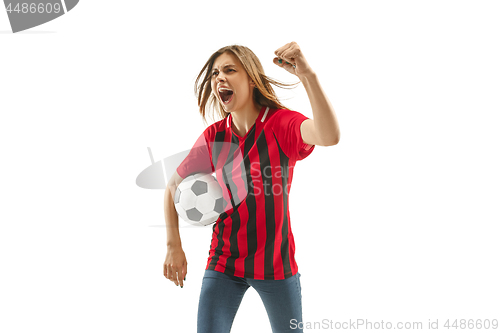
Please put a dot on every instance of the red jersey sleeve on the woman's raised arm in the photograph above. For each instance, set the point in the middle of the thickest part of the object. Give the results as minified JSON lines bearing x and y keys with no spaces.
{"x":287,"y":131}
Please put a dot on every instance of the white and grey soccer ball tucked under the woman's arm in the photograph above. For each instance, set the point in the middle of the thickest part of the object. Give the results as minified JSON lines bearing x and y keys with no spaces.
{"x":198,"y":199}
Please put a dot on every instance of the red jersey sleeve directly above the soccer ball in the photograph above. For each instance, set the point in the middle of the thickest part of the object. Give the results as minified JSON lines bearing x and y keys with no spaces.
{"x":198,"y":159}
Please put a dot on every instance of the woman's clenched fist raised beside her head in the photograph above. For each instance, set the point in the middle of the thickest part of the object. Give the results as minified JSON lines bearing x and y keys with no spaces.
{"x":293,"y":60}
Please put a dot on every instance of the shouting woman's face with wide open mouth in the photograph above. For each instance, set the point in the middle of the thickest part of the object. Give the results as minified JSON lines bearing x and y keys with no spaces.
{"x":230,"y":82}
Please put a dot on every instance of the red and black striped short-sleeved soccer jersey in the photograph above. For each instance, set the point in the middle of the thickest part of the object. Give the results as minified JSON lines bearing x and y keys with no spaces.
{"x":252,"y":238}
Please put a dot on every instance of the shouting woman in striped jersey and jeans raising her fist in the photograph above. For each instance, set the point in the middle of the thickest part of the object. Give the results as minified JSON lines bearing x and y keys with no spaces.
{"x":253,"y":150}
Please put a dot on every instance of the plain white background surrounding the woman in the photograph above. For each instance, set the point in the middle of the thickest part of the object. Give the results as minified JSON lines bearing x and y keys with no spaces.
{"x":398,"y":222}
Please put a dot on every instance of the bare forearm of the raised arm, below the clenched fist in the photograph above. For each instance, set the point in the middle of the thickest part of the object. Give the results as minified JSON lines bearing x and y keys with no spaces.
{"x":324,"y":117}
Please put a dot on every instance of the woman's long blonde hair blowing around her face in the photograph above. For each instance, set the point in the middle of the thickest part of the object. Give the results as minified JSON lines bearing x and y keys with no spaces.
{"x":263,"y":94}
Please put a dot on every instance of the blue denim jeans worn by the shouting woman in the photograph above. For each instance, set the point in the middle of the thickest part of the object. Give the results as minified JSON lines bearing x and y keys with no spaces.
{"x":221,"y":295}
